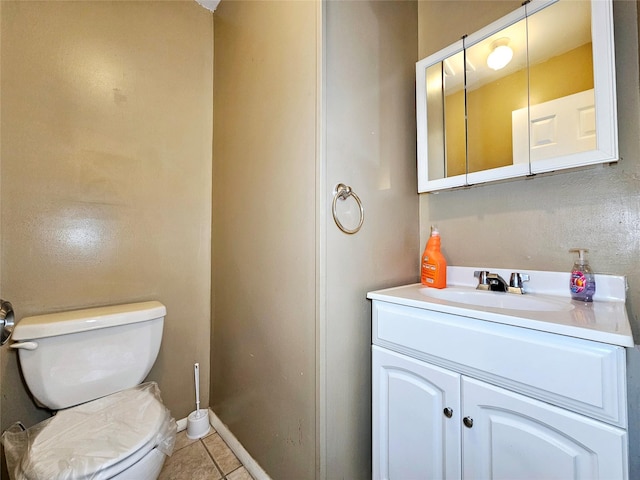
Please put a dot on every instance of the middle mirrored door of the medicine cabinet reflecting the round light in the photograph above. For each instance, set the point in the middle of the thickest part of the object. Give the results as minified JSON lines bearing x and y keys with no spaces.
{"x":496,"y":86}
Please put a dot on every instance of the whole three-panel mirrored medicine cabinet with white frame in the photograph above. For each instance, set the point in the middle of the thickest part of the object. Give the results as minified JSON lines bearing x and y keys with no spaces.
{"x":530,"y":93}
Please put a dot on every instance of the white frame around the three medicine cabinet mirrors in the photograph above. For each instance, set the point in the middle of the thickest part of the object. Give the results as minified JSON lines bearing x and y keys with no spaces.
{"x":605,"y":102}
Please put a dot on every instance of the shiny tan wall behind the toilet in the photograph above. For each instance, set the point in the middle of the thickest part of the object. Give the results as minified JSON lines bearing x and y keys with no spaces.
{"x":106,"y":173}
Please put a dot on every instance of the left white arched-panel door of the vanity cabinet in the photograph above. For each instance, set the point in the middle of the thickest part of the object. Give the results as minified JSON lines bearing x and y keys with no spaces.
{"x":416,"y":419}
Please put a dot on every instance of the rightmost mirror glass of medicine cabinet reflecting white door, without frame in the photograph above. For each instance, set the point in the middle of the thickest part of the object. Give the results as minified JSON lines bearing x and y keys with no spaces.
{"x":561,"y":114}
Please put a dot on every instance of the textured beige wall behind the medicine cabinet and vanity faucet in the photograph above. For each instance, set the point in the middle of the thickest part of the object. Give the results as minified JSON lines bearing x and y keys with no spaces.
{"x":532,"y":223}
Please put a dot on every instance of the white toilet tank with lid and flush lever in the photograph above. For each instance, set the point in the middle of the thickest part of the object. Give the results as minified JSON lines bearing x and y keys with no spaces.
{"x":68,"y":358}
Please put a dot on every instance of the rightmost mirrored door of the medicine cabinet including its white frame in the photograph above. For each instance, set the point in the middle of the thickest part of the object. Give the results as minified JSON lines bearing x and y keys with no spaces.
{"x":567,"y":124}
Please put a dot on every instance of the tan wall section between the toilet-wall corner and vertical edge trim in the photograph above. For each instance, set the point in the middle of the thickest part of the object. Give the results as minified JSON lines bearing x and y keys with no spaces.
{"x":263,"y":343}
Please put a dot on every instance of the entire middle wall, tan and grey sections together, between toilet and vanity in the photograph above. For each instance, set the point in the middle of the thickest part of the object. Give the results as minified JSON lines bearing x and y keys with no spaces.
{"x":307,"y":95}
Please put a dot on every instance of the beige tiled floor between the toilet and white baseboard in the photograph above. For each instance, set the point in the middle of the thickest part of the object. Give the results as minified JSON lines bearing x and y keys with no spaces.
{"x":208,"y":458}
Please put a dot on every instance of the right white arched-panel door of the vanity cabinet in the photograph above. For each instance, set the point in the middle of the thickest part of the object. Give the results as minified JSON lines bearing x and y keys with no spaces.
{"x":509,"y":436}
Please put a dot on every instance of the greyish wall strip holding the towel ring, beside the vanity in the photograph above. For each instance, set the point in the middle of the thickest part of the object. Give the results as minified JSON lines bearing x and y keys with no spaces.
{"x":370,"y":48}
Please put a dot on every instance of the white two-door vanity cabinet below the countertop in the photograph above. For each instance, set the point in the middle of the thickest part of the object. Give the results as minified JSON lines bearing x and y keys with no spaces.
{"x":458,"y":397}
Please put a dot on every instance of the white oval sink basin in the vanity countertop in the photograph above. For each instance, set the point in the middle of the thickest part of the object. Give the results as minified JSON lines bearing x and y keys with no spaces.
{"x":510,"y":301}
